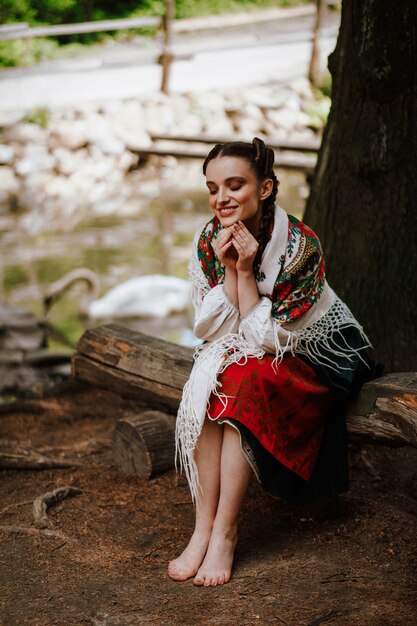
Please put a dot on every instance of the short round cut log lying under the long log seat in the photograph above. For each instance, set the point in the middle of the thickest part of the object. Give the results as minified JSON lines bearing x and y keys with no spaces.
{"x":143,"y":445}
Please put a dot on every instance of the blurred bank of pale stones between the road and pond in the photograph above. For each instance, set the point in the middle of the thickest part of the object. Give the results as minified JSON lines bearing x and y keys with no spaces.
{"x":80,"y":165}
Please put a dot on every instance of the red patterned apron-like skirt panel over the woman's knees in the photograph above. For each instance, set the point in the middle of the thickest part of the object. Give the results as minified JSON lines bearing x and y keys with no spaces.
{"x":285,"y":408}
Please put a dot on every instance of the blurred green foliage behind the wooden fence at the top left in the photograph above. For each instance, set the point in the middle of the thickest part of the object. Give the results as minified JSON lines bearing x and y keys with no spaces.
{"x":46,"y":12}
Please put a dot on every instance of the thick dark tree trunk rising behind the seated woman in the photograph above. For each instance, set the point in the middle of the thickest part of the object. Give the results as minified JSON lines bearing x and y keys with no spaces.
{"x":363,"y":203}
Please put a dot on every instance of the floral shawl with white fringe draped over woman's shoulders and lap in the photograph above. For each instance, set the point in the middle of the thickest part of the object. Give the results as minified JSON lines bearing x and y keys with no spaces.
{"x":306,"y":315}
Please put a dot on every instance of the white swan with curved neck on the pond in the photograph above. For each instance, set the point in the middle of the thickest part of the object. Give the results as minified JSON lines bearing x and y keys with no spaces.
{"x":154,"y":295}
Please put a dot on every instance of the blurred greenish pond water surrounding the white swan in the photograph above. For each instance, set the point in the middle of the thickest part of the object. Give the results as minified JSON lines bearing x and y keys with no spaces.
{"x":156,"y":240}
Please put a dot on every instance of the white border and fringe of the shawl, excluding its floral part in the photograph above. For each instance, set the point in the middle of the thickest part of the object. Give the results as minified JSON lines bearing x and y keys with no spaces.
{"x":310,"y":335}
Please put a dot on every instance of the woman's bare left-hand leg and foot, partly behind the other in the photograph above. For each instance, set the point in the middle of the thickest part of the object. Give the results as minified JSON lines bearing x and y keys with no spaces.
{"x":208,"y":459}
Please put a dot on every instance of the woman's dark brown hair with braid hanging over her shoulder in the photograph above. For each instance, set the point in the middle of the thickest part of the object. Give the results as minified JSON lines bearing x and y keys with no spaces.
{"x":261,"y":160}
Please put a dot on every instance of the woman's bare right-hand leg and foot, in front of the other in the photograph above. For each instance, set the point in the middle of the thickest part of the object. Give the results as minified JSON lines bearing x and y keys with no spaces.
{"x":235,"y":474}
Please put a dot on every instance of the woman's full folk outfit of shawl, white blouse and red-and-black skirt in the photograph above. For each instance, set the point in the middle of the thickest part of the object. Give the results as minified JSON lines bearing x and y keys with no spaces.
{"x":281,"y":373}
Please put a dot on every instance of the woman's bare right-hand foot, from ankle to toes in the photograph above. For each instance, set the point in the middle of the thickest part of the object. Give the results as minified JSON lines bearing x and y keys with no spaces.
{"x":216,"y":568}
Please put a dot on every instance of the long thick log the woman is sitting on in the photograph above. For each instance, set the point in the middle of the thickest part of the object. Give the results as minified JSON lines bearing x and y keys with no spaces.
{"x":137,"y":365}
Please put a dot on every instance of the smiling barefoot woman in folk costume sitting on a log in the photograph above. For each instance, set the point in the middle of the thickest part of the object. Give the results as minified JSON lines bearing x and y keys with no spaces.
{"x":280,"y":355}
